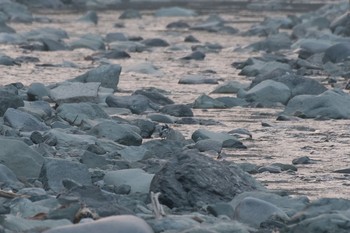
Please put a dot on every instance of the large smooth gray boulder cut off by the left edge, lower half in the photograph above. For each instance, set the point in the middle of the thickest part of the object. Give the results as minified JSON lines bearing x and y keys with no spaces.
{"x":20,"y":158}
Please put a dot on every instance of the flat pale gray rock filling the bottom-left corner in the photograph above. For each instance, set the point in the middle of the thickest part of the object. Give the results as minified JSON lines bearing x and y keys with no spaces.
{"x":18,"y":224}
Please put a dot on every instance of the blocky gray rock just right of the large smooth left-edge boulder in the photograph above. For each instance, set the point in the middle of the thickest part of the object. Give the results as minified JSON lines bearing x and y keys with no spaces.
{"x":54,"y":171}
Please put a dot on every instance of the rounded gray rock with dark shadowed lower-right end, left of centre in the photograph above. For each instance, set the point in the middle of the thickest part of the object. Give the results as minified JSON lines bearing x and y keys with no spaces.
{"x":121,"y":133}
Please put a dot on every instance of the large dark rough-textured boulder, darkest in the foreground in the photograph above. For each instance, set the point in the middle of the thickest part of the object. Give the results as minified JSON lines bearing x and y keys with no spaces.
{"x":191,"y":179}
